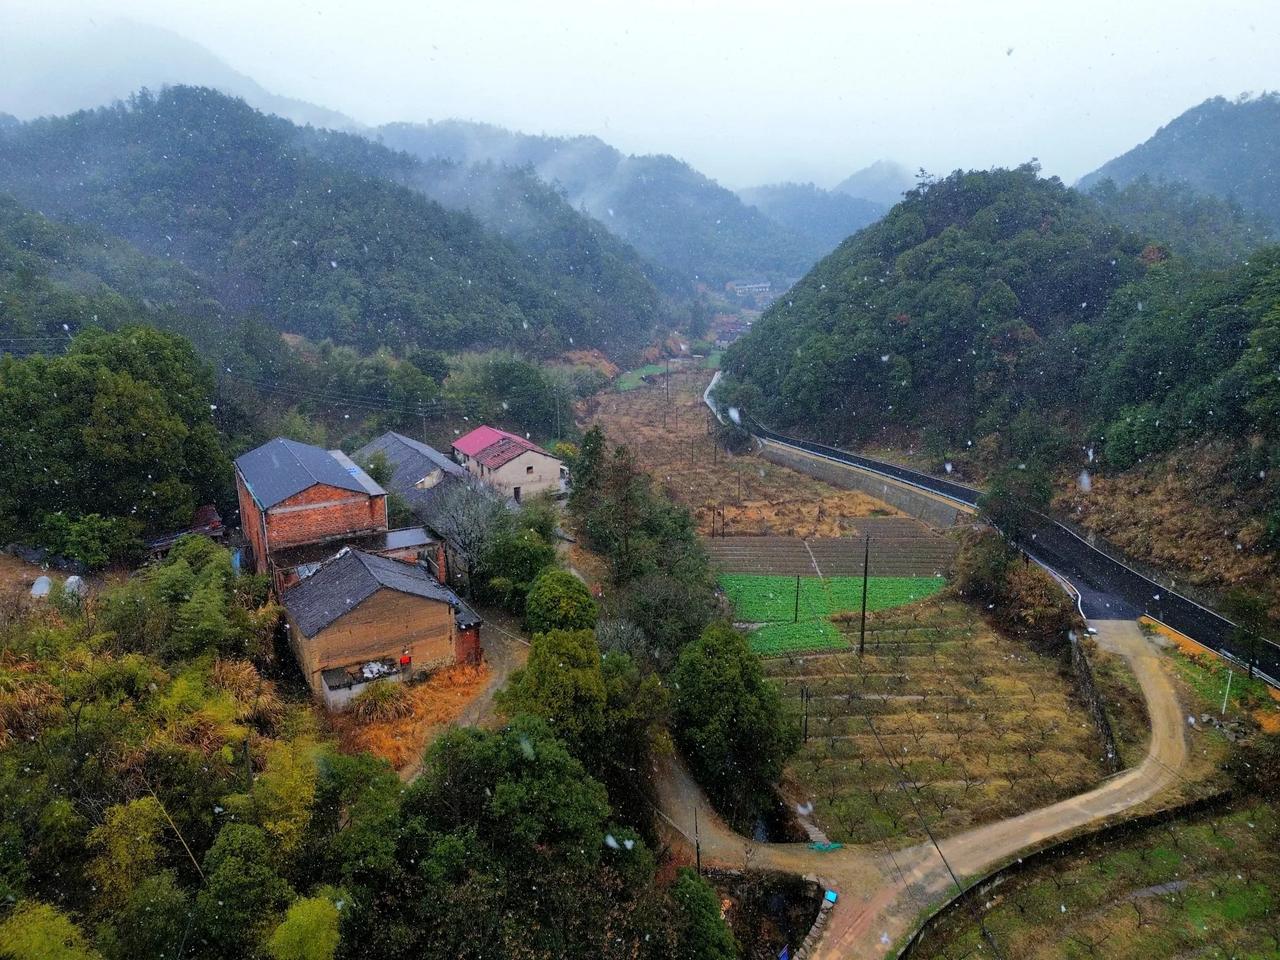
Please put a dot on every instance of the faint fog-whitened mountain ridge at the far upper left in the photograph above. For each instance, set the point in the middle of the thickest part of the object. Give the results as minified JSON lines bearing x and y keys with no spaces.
{"x":70,"y":70}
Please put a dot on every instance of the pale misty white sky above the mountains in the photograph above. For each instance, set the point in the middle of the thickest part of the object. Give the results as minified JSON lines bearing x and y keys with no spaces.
{"x":747,"y":92}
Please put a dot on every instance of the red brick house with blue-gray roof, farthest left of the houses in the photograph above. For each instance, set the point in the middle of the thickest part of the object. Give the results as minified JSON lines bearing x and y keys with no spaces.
{"x":292,"y":493}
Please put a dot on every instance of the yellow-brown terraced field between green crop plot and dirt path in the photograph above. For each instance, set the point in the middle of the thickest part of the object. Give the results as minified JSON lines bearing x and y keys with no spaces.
{"x":941,"y":719}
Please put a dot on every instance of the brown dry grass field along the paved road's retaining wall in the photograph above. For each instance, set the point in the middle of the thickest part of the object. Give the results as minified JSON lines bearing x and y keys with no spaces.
{"x":758,"y":497}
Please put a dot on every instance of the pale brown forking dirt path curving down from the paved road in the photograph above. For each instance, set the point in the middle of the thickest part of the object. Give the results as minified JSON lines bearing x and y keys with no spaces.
{"x":884,"y":893}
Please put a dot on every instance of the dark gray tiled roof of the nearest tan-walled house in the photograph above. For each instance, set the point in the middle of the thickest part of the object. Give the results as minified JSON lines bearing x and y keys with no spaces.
{"x":350,"y":579}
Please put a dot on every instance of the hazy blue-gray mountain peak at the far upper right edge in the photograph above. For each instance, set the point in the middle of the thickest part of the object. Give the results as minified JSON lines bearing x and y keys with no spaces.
{"x":1226,"y":148}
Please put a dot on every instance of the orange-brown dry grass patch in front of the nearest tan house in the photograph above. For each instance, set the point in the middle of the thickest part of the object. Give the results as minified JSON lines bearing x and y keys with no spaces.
{"x":435,"y":703}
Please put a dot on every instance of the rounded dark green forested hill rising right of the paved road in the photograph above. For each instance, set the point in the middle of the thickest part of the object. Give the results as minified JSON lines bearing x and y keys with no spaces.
{"x":952,"y":312}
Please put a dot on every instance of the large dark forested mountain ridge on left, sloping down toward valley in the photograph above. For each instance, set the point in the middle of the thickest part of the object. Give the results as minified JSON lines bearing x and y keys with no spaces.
{"x":316,"y":246}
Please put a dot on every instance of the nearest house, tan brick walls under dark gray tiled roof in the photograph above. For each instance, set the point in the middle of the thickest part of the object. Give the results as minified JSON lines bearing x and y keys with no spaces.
{"x":359,"y":619}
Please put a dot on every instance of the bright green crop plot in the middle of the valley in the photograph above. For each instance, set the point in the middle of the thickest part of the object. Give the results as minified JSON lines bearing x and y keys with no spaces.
{"x":772,"y":600}
